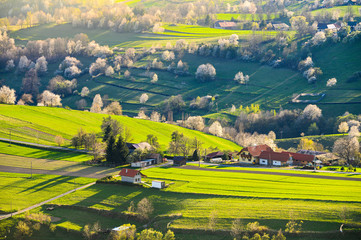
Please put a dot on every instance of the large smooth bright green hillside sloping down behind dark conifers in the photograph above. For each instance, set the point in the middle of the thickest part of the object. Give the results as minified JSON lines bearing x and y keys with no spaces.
{"x":42,"y":124}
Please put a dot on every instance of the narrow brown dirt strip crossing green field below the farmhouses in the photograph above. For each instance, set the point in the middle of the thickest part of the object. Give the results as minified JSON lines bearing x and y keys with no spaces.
{"x":273,"y":173}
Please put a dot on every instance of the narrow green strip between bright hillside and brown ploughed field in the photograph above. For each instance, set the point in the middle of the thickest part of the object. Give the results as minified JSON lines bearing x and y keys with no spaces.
{"x":33,"y":152}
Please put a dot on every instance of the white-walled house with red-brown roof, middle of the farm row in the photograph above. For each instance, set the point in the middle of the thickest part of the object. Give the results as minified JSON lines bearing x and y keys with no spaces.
{"x":270,"y":158}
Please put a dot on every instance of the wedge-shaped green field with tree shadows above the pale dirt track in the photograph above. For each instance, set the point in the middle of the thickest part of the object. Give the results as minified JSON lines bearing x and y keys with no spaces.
{"x":19,"y":192}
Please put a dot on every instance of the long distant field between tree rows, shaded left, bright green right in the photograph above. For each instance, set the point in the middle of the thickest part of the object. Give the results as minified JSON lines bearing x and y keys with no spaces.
{"x":191,"y":33}
